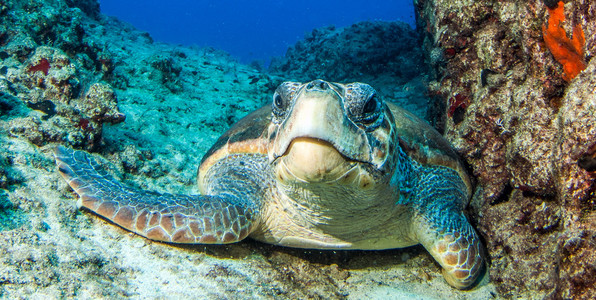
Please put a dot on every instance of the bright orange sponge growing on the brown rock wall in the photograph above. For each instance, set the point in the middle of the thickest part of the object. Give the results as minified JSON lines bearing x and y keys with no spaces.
{"x":567,"y":51}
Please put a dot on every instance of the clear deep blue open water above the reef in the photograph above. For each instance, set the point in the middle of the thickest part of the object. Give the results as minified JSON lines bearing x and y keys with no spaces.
{"x":249,"y":29}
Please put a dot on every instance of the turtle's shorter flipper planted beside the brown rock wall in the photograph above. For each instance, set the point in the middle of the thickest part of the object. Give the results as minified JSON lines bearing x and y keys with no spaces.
{"x":444,"y":231}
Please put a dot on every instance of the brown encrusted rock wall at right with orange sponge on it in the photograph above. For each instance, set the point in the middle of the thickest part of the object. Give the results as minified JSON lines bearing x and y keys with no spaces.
{"x":514,"y":92}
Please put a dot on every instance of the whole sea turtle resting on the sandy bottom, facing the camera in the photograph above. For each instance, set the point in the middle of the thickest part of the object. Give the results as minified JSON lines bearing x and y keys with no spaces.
{"x":326,"y":166}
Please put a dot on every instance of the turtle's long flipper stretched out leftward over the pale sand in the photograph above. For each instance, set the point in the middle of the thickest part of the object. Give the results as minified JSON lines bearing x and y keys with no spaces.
{"x":204,"y":219}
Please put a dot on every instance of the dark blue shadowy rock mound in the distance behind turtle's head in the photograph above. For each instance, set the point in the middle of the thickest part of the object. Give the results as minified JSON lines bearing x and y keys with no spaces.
{"x":386,"y":55}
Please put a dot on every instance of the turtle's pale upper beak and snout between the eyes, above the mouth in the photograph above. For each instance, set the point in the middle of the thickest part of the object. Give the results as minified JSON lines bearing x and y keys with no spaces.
{"x":318,"y":115}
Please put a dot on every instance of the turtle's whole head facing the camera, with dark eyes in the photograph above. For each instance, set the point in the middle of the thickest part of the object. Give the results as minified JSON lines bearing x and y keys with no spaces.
{"x":325,"y":132}
